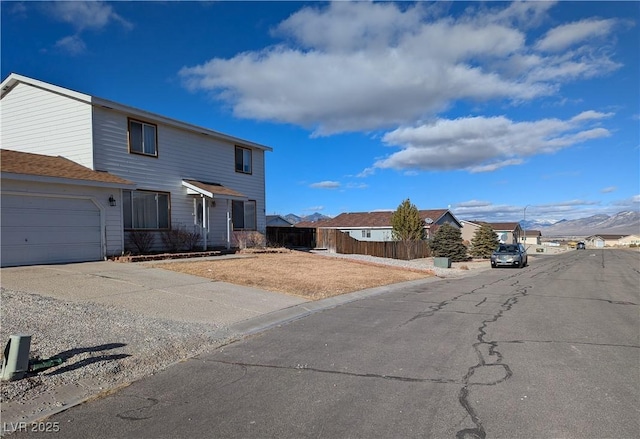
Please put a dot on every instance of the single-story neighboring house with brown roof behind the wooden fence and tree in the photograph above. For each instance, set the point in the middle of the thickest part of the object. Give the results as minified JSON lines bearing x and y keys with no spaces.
{"x":376,"y":226}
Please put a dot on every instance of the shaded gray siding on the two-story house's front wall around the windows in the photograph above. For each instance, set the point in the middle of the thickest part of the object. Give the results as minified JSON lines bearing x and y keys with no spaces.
{"x":181,"y":155}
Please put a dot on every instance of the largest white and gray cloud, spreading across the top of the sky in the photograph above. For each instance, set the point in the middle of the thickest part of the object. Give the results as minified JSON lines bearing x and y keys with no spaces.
{"x":368,"y":66}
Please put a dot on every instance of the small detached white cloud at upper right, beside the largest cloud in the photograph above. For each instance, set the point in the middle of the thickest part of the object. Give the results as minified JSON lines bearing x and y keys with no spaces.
{"x":567,"y":35}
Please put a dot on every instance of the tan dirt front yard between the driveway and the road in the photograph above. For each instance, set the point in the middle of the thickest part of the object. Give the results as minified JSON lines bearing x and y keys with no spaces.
{"x":298,"y":273}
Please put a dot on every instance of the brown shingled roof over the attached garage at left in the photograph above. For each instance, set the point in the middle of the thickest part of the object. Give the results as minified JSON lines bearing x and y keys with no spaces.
{"x":24,"y":163}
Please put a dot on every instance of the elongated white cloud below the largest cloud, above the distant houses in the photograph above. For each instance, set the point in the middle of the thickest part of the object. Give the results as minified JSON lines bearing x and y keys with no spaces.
{"x":482,"y":144}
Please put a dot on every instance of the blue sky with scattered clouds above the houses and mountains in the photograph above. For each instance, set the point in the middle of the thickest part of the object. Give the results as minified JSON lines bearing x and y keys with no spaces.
{"x":483,"y":107}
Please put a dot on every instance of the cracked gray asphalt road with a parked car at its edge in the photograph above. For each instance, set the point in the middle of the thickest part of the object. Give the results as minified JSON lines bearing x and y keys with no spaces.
{"x":548,"y":351}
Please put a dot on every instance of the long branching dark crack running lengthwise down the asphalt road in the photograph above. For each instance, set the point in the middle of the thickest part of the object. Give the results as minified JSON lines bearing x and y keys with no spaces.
{"x":478,"y":432}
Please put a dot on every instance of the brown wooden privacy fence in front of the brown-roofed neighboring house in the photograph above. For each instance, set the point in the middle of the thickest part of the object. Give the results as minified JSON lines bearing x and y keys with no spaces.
{"x":340,"y":242}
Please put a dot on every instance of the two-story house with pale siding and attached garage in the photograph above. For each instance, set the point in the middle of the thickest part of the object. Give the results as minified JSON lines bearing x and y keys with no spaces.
{"x":164,"y":174}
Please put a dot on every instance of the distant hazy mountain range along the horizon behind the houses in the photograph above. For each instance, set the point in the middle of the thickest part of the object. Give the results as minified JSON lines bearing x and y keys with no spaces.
{"x":622,"y":223}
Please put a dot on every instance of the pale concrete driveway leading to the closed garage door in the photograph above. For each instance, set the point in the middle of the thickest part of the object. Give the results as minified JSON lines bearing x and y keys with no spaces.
{"x":155,"y":292}
